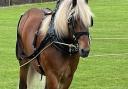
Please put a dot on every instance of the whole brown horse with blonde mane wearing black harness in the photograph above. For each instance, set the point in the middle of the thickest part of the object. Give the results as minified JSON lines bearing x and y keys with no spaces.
{"x":52,"y":42}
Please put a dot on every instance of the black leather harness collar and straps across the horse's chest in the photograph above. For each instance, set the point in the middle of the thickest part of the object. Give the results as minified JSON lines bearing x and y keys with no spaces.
{"x":59,"y":43}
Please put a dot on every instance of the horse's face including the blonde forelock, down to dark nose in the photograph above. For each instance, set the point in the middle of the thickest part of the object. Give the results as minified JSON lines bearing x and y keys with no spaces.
{"x":82,"y":20}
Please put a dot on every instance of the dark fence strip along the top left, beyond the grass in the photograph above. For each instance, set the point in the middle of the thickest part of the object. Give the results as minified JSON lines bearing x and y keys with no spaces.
{"x":15,"y":2}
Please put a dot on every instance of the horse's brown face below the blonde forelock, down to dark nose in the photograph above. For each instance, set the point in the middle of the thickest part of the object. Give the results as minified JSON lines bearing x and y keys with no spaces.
{"x":82,"y":34}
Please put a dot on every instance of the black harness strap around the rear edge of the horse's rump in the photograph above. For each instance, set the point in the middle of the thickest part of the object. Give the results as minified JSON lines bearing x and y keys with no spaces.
{"x":19,"y":48}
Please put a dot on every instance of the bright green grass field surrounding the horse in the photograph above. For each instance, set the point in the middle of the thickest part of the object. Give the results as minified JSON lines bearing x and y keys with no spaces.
{"x":107,"y":65}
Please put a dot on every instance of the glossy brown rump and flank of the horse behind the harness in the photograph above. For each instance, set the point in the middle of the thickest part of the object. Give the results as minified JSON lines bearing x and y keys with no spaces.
{"x":29,"y":24}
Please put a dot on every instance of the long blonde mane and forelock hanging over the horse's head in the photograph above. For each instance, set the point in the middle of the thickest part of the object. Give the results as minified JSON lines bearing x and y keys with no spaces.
{"x":64,"y":12}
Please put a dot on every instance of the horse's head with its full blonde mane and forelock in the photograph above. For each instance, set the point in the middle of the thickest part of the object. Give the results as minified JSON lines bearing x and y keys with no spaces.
{"x":73,"y":19}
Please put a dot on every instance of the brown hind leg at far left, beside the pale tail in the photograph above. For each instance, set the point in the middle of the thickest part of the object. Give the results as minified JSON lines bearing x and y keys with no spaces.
{"x":23,"y":77}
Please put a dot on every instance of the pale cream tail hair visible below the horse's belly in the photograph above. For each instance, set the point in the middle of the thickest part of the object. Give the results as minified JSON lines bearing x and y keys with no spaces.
{"x":34,"y":79}
